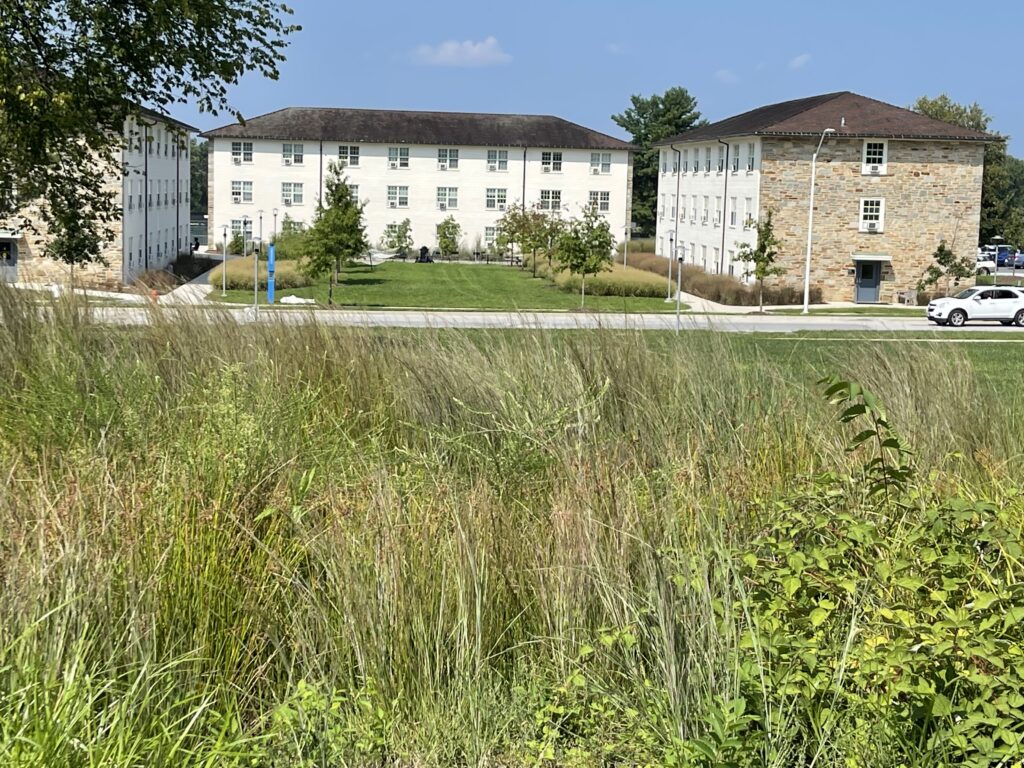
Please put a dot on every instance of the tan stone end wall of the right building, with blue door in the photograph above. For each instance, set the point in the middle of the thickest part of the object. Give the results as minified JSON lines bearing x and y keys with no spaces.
{"x":932,"y":192}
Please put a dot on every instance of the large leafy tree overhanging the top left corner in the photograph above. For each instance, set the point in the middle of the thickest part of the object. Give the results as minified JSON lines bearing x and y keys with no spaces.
{"x":72,"y":73}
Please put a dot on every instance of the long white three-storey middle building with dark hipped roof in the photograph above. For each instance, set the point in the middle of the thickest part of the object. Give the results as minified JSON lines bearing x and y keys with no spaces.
{"x":424,"y":166}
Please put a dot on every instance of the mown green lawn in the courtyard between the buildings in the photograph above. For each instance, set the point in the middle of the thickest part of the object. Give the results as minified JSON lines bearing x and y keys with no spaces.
{"x":444,"y":286}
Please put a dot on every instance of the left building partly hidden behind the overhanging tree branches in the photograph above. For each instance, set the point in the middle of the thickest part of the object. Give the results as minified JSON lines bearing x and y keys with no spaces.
{"x":153,"y":192}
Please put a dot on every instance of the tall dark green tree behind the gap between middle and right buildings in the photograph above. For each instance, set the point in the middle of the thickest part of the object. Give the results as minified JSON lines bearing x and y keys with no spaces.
{"x":651,"y":119}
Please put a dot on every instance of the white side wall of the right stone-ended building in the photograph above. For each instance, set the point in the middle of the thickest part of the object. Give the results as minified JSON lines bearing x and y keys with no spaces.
{"x":698,"y":240}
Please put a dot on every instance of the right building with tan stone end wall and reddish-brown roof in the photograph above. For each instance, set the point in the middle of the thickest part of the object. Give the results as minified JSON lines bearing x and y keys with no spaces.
{"x":891,"y":185}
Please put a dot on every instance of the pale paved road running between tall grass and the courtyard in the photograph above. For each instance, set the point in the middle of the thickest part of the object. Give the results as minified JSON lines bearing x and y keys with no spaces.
{"x":552,"y":321}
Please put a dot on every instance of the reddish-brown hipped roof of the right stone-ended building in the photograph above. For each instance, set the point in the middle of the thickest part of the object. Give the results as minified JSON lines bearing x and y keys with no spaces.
{"x":849,"y":114}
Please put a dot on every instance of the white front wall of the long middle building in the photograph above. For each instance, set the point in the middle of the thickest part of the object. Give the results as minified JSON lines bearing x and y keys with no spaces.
{"x":523,"y":181}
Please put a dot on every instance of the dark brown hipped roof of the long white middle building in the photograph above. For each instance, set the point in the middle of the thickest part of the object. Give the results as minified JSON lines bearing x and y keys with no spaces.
{"x":401,"y":127}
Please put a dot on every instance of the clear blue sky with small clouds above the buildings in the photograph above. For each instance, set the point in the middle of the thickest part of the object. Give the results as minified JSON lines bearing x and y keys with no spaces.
{"x":582,"y":61}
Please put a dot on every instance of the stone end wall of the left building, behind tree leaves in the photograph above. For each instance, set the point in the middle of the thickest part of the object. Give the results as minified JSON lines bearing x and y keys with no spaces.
{"x":33,"y":267}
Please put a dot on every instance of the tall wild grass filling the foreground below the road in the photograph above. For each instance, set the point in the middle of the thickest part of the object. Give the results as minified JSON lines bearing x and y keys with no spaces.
{"x":274,"y":546}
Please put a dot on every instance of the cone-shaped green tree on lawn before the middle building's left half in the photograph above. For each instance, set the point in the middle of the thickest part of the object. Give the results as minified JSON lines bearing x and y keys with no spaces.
{"x":337,"y":237}
